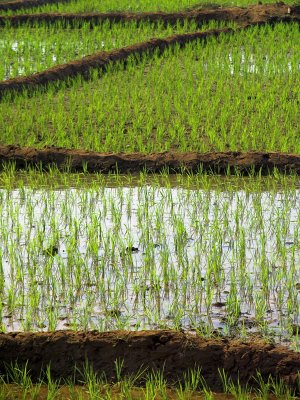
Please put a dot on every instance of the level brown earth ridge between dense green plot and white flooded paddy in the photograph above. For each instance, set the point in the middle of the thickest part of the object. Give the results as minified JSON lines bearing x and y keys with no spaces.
{"x":81,"y":160}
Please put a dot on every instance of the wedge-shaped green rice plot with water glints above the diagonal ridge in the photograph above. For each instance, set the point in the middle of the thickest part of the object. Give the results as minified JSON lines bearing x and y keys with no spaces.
{"x":26,"y":50}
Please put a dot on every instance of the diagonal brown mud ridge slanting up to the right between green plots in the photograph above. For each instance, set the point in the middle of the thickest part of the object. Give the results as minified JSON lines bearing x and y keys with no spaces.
{"x":101,"y":61}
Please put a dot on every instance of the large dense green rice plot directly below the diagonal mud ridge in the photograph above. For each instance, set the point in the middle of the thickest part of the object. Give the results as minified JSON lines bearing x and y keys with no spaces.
{"x":237,"y":92}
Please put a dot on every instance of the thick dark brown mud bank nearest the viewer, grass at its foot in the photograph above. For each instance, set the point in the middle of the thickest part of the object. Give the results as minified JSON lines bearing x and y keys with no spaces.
{"x":171,"y":351}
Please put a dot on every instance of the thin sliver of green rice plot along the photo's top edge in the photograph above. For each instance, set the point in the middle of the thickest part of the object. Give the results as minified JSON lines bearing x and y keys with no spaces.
{"x":133,"y":5}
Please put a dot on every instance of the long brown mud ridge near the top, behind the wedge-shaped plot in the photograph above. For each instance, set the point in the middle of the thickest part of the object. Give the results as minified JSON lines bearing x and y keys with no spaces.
{"x":250,"y":14}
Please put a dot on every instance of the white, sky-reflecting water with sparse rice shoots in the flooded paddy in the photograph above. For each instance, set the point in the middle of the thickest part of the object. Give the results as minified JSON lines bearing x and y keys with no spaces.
{"x":212,"y":260}
